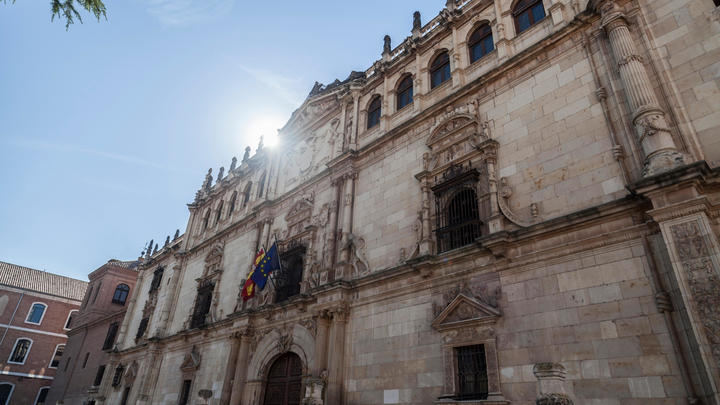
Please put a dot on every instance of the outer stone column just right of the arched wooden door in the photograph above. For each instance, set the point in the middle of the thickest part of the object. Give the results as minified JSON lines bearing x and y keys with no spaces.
{"x":336,"y":355}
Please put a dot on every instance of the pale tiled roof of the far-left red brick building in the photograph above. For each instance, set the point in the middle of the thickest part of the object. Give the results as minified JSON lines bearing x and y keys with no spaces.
{"x":37,"y":280}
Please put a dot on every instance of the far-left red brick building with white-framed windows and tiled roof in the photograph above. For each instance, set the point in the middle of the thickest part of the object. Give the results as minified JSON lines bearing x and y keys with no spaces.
{"x":36,"y":311}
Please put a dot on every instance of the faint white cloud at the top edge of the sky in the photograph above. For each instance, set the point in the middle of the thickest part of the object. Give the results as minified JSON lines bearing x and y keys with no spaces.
{"x":187,"y":12}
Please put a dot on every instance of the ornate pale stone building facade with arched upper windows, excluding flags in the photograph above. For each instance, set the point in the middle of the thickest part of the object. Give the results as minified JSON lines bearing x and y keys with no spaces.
{"x":517,"y":203}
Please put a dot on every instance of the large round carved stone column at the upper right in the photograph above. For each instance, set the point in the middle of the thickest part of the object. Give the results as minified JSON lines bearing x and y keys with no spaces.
{"x":648,"y":117}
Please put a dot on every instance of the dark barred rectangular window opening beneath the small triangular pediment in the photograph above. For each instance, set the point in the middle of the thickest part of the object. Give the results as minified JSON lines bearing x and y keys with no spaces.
{"x":472,"y":372}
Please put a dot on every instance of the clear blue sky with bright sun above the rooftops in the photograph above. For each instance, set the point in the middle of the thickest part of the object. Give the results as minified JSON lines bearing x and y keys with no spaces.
{"x":107,"y":130}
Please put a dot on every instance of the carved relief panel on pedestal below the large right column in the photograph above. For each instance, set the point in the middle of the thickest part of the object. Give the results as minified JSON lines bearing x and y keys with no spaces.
{"x":703,"y":278}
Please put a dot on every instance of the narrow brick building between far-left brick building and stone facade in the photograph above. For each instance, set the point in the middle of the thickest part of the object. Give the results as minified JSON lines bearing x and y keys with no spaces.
{"x":93,"y":334}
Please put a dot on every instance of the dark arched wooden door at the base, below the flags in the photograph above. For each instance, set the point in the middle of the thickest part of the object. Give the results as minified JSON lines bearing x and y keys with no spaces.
{"x":284,"y":381}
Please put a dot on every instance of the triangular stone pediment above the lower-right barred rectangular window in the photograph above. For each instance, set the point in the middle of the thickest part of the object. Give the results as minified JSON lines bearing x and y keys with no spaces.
{"x":465,"y":311}
